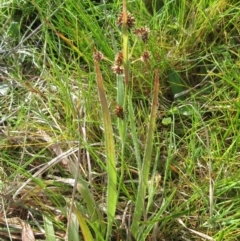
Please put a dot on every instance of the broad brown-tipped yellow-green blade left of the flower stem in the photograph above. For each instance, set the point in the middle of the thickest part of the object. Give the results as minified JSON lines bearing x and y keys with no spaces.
{"x":110,"y":153}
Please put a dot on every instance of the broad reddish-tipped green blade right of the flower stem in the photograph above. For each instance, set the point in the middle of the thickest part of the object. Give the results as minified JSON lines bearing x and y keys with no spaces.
{"x":146,"y":161}
